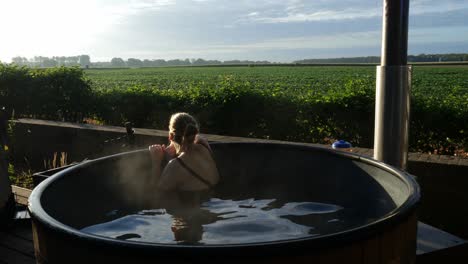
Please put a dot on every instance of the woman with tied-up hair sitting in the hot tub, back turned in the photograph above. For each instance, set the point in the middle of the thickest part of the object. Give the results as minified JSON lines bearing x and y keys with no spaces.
{"x":191,"y":171}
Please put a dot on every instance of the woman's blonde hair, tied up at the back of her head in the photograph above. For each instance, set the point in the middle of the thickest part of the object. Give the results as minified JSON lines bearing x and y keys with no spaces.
{"x":184,"y":128}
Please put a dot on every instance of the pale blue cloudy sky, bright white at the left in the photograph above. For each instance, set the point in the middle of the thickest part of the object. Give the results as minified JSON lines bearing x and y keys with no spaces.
{"x":273,"y":30}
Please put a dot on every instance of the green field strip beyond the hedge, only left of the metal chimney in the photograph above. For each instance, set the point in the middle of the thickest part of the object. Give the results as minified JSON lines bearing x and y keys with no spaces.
{"x":298,"y":78}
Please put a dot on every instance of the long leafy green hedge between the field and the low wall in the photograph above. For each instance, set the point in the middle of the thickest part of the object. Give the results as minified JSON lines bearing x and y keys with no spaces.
{"x":231,"y":105}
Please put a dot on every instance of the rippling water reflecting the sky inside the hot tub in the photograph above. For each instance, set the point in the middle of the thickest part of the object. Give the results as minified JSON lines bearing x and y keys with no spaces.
{"x":224,"y":221}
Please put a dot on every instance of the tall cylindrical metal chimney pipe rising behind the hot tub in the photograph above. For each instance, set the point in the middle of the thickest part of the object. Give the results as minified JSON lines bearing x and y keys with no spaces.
{"x":393,"y":84}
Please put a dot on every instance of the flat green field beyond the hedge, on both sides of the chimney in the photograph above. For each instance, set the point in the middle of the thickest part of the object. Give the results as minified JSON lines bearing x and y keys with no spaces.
{"x":300,"y":79}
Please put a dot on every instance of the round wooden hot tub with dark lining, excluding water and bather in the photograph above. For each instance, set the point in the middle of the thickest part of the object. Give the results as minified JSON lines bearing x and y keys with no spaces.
{"x":386,"y":198}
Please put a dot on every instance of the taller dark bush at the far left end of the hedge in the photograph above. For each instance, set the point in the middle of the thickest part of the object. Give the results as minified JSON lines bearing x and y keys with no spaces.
{"x":54,"y":93}
